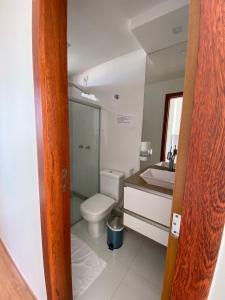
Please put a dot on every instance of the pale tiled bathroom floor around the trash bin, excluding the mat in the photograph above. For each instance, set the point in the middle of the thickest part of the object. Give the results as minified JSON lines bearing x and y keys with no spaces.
{"x":135,"y":271}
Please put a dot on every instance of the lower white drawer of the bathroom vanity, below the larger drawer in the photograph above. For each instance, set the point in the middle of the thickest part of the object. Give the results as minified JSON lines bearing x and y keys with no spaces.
{"x":144,"y":228}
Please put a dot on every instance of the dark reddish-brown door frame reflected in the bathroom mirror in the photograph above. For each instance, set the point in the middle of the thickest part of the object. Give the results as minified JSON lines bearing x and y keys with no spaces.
{"x":168,"y":98}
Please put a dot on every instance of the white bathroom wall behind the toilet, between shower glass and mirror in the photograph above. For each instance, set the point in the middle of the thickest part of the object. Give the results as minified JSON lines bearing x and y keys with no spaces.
{"x":125,"y":76}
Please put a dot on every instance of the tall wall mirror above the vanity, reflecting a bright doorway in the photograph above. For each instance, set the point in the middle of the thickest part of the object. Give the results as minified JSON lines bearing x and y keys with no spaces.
{"x":163,"y":100}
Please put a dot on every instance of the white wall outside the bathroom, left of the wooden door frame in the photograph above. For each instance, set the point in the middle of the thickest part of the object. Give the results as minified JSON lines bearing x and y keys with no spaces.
{"x":19,"y":199}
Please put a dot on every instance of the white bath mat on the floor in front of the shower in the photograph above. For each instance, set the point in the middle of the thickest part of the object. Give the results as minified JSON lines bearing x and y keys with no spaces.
{"x":86,"y":266}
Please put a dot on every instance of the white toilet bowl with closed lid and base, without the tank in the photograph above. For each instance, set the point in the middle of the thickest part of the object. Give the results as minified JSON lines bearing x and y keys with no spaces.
{"x":94,"y":210}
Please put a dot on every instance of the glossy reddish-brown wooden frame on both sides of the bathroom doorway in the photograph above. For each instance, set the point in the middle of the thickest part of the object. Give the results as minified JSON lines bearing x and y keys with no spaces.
{"x":51,"y":109}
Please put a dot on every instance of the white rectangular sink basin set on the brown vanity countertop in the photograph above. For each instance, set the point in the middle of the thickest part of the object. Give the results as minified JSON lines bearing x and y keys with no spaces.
{"x":159,"y":177}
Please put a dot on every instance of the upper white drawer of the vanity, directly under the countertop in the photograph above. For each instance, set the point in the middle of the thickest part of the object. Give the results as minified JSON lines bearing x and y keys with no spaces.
{"x":150,"y":206}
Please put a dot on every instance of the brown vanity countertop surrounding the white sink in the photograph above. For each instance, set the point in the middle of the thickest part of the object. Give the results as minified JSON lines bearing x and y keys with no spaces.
{"x":135,"y":181}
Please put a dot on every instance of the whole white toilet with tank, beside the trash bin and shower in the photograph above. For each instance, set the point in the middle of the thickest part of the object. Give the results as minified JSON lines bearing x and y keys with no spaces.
{"x":95,"y":209}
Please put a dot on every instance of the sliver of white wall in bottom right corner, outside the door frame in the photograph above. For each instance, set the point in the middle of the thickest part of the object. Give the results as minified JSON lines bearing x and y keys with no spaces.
{"x":217,"y":290}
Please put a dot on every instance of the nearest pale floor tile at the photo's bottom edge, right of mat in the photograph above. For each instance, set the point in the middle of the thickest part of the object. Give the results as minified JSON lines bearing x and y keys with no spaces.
{"x":134,"y":287}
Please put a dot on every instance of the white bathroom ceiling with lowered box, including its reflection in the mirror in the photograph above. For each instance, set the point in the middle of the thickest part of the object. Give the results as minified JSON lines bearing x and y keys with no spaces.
{"x":100,"y":30}
